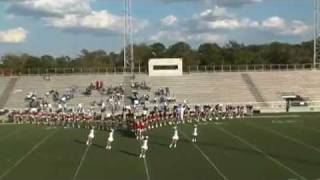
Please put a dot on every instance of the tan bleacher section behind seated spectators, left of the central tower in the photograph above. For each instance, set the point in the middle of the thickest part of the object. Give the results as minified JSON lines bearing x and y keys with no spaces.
{"x":40,"y":86}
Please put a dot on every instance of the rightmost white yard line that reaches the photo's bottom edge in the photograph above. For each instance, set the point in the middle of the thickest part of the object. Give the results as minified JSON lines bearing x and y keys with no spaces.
{"x":261,"y":152}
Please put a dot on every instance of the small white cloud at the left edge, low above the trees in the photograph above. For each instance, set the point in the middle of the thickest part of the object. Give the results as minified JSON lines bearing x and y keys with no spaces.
{"x":13,"y":36}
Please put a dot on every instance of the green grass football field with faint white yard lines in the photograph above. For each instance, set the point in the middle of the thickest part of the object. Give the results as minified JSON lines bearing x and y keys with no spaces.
{"x":266,"y":147}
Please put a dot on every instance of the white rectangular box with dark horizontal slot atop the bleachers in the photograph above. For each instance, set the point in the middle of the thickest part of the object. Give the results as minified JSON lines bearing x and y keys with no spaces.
{"x":165,"y":67}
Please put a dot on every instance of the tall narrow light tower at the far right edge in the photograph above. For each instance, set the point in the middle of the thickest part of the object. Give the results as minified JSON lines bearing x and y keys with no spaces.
{"x":316,"y":50}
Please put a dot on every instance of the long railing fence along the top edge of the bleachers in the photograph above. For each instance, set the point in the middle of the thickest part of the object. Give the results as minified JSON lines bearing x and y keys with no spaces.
{"x":144,"y":69}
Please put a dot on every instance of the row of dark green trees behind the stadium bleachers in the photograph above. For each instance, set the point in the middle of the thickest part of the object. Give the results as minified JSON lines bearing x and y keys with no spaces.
{"x":232,"y":53}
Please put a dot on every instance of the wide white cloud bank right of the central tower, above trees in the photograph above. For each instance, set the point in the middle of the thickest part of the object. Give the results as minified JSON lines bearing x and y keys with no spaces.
{"x":219,"y":25}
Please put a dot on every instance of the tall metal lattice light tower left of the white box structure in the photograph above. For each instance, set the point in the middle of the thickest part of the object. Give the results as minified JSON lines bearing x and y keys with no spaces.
{"x":128,"y":57}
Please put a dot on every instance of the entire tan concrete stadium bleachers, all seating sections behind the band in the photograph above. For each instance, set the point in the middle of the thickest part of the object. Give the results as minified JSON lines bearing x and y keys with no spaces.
{"x":198,"y":88}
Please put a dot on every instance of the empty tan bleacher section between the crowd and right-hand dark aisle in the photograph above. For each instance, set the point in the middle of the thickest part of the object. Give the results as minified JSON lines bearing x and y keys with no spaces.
{"x":204,"y":88}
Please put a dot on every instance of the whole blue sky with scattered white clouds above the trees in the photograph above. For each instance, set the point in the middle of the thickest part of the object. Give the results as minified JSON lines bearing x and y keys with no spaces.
{"x":64,"y":27}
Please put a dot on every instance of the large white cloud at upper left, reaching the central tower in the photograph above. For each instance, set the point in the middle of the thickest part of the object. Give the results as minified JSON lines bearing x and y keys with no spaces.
{"x":74,"y":16}
